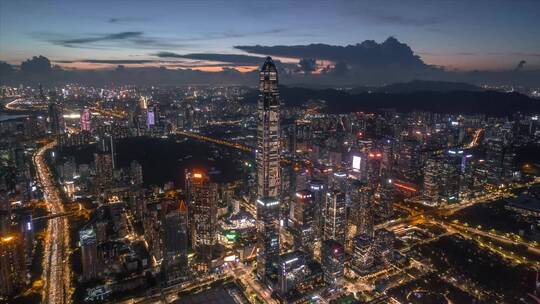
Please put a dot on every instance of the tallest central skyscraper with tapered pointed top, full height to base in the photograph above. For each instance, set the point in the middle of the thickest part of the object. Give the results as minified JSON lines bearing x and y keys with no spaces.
{"x":267,"y":156}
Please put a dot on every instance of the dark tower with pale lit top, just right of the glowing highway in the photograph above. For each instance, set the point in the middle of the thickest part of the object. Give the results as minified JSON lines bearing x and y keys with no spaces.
{"x":89,"y":256}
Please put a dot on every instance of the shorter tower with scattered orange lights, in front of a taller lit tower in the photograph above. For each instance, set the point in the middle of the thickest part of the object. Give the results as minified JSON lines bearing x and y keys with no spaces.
{"x":332,"y":261}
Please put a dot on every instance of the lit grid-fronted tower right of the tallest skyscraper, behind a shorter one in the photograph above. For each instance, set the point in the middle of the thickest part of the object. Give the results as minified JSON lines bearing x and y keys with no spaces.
{"x":335,"y":224}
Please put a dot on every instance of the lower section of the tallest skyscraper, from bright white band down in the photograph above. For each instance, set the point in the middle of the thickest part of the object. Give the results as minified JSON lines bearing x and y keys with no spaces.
{"x":267,"y":234}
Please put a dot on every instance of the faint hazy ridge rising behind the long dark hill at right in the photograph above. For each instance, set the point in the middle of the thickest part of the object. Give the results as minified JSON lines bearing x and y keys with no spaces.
{"x":428,"y":86}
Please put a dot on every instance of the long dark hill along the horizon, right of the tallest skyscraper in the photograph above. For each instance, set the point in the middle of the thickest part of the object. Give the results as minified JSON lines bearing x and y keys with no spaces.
{"x":464,"y":102}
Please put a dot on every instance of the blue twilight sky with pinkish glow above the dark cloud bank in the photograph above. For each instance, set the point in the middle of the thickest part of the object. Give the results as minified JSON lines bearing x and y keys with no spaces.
{"x":464,"y":35}
